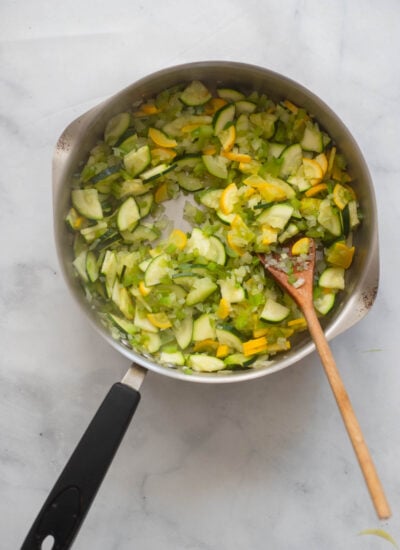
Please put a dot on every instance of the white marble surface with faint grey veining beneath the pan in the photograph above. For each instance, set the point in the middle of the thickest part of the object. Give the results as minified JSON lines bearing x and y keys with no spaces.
{"x":264,"y":464}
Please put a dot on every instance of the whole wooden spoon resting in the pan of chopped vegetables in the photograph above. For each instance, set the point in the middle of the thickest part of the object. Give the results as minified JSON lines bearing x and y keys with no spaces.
{"x":303,"y":294}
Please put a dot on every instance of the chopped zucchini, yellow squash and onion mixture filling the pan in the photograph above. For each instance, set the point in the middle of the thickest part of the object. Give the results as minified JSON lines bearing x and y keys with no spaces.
{"x":253,"y":174}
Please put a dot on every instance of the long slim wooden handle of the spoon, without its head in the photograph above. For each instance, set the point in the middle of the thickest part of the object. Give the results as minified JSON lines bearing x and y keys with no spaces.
{"x":367,"y":466}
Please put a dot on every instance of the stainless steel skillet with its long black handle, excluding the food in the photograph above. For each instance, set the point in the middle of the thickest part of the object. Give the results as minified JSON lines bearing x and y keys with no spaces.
{"x":71,"y":497}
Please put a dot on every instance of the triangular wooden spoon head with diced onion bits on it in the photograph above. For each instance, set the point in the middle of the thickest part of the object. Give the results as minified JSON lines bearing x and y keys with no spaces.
{"x":298,"y":280}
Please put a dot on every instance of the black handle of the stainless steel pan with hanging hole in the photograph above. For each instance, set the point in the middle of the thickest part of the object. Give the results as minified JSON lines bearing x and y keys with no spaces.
{"x":69,"y":501}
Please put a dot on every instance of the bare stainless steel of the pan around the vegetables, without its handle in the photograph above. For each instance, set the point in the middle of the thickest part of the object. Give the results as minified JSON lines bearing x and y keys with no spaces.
{"x":80,"y":136}
